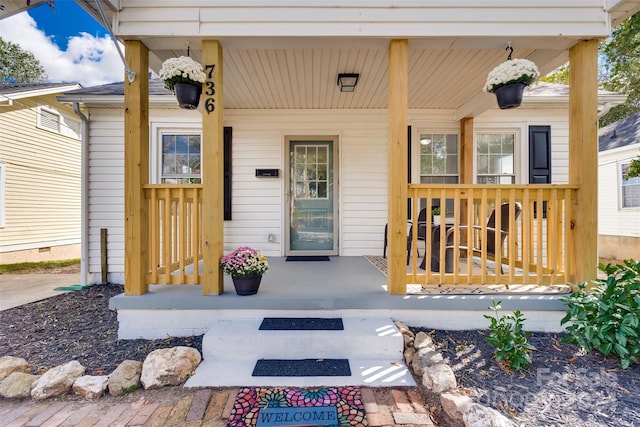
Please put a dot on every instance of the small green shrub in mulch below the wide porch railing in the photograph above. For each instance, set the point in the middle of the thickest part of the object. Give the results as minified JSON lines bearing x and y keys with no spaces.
{"x":509,"y":339}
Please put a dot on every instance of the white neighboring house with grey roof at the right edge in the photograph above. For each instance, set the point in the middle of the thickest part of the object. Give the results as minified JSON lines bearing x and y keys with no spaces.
{"x":619,"y":195}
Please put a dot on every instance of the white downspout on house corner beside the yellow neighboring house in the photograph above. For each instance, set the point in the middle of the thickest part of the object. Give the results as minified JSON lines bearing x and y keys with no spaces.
{"x":84,"y":195}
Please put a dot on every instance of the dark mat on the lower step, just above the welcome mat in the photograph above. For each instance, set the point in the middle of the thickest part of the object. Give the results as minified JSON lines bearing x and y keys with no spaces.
{"x":302,"y":368}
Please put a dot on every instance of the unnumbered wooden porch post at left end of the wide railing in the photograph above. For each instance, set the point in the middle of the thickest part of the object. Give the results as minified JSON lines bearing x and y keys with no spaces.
{"x":397,"y":157}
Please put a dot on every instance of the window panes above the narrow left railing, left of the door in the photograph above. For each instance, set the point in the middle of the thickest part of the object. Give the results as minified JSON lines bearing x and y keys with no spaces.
{"x":180,"y":158}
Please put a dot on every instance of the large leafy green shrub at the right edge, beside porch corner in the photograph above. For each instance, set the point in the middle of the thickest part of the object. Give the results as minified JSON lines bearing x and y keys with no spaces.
{"x":606,"y":317}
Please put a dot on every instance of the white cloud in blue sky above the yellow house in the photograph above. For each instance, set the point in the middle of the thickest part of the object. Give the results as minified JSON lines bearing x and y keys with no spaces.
{"x":88,"y":60}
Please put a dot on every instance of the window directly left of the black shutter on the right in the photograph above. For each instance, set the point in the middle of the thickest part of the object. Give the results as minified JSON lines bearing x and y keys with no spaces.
{"x":496,"y":158}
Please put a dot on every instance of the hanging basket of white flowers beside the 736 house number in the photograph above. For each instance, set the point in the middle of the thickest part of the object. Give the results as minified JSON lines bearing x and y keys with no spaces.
{"x":184,"y":77}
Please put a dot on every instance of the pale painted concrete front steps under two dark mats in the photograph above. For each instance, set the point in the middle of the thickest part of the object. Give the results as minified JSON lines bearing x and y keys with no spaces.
{"x":232,"y":346}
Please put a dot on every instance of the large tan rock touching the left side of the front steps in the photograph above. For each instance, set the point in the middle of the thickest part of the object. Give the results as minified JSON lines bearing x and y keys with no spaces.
{"x":169,"y":366}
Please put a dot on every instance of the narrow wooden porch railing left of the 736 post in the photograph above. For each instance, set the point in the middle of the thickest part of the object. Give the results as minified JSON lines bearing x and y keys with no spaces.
{"x":175,"y":233}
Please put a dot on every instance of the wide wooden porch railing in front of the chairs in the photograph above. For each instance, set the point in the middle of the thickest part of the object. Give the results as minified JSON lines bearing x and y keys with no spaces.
{"x":534,"y":251}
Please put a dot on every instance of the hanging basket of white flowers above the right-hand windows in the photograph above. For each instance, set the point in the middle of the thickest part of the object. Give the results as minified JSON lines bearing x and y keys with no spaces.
{"x":509,"y":79}
